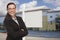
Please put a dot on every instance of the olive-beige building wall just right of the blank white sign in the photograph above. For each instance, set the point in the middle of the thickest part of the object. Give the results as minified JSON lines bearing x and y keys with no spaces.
{"x":47,"y":26}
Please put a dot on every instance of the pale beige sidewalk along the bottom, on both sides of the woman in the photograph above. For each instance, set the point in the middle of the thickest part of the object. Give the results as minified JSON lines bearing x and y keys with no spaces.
{"x":3,"y":37}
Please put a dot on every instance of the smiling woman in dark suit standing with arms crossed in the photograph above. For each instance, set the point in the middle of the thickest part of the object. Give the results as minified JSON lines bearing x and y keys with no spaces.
{"x":15,"y":26}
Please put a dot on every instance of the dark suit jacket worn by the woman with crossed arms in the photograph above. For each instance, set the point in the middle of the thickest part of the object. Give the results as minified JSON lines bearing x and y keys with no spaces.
{"x":14,"y":31}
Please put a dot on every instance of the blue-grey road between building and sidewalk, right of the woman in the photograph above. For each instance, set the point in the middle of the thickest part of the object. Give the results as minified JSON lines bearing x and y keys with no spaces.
{"x":45,"y":34}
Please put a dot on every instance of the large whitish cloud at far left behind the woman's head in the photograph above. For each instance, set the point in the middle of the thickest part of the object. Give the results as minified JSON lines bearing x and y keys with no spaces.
{"x":3,"y":4}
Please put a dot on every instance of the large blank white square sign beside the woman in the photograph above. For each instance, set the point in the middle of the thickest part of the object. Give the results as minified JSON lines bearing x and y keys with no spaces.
{"x":33,"y":19}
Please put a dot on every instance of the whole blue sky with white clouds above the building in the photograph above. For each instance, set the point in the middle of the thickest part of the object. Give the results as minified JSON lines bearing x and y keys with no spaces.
{"x":52,"y":4}
